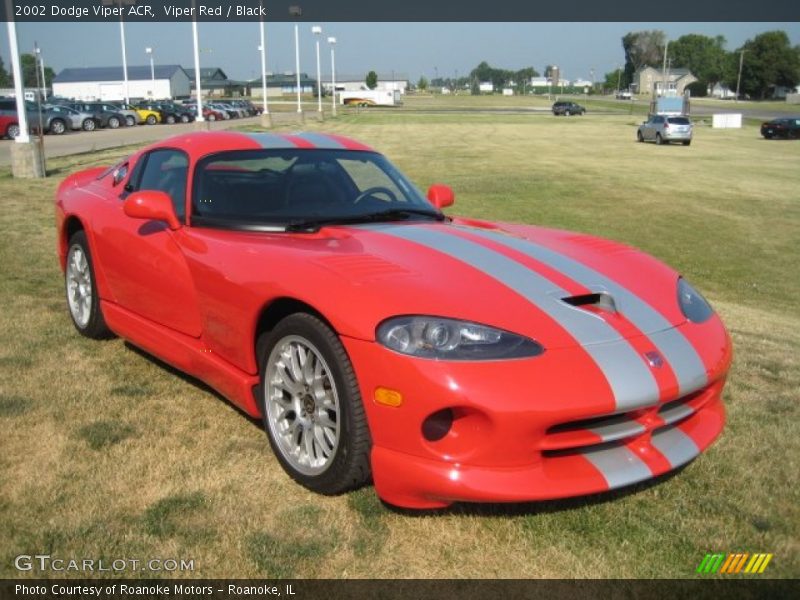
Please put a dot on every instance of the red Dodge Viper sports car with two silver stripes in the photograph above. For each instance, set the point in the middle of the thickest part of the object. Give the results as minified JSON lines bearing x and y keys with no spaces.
{"x":306,"y":279}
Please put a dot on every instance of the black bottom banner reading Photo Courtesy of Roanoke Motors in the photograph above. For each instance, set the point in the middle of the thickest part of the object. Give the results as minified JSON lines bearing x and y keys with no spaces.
{"x":133,"y":589}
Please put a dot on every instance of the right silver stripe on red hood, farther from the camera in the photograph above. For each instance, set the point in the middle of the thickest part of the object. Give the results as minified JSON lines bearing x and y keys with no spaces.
{"x":670,"y":342}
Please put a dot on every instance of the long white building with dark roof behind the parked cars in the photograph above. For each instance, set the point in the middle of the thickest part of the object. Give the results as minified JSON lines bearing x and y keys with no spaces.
{"x":107,"y":83}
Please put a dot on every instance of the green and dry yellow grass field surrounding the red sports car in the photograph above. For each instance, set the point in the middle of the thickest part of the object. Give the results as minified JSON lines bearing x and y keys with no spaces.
{"x":106,"y":453}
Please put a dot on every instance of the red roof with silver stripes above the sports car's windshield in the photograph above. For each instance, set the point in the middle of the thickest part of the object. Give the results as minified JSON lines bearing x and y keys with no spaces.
{"x":201,"y":143}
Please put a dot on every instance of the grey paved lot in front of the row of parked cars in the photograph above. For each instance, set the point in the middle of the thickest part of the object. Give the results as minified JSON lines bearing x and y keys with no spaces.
{"x":77,"y":142}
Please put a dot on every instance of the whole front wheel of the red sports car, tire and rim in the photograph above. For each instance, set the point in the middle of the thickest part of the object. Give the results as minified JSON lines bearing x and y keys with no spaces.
{"x":311,"y":406}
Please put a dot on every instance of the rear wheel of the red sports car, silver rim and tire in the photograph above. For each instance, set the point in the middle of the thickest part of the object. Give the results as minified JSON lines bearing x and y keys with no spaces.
{"x":81,"y":290}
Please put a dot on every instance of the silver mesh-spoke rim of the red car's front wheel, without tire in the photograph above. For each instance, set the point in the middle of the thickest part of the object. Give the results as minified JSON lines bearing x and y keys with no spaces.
{"x":302,"y":405}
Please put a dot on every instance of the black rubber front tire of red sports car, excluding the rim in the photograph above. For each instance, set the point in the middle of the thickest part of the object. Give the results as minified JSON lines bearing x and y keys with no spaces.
{"x":338,"y":477}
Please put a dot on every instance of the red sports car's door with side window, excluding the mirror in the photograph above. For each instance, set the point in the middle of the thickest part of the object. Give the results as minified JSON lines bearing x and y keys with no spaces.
{"x":145,"y":265}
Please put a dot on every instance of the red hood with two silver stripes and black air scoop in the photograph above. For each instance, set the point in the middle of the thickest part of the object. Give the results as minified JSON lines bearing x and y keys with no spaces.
{"x":558,"y":287}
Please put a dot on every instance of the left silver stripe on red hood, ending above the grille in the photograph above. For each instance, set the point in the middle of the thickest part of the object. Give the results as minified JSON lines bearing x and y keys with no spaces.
{"x":631,"y":381}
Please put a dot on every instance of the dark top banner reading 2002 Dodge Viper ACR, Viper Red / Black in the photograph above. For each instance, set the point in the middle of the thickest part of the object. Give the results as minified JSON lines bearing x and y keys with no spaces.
{"x":403,"y":10}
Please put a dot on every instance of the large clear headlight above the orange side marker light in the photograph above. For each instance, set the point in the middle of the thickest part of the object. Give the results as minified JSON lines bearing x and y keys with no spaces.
{"x":450,"y":339}
